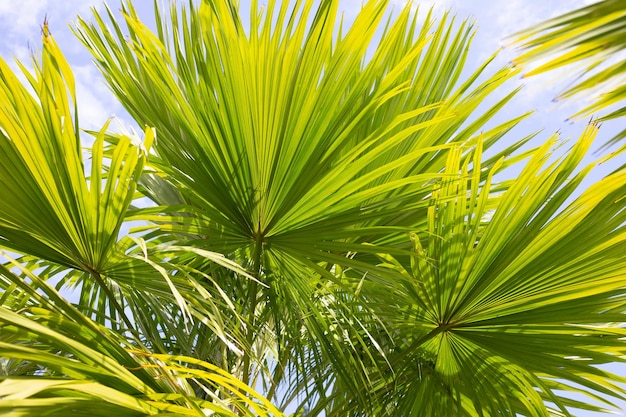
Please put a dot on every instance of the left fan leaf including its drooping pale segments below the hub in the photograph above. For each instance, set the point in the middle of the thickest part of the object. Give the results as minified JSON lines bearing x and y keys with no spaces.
{"x":69,"y":225}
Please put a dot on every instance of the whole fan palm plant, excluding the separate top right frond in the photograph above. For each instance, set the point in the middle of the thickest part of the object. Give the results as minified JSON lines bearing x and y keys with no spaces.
{"x":323,"y":225}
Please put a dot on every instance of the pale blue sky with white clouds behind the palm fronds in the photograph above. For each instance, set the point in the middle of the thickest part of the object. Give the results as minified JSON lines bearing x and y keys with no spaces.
{"x":20,"y":22}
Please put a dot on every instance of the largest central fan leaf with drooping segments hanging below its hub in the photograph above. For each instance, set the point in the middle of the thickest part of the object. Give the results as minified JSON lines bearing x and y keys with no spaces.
{"x":305,"y":157}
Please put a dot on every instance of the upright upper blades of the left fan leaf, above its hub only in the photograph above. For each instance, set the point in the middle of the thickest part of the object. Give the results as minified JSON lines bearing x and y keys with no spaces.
{"x":48,"y":208}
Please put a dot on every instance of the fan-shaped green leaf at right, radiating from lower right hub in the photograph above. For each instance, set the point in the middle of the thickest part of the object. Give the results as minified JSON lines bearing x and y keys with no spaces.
{"x":506,"y":316}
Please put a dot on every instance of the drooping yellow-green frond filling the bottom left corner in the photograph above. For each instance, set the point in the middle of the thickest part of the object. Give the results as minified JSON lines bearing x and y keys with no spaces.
{"x":87,"y":369}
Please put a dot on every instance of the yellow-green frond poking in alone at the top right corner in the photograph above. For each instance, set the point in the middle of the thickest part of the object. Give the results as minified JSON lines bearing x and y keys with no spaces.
{"x":586,"y":38}
